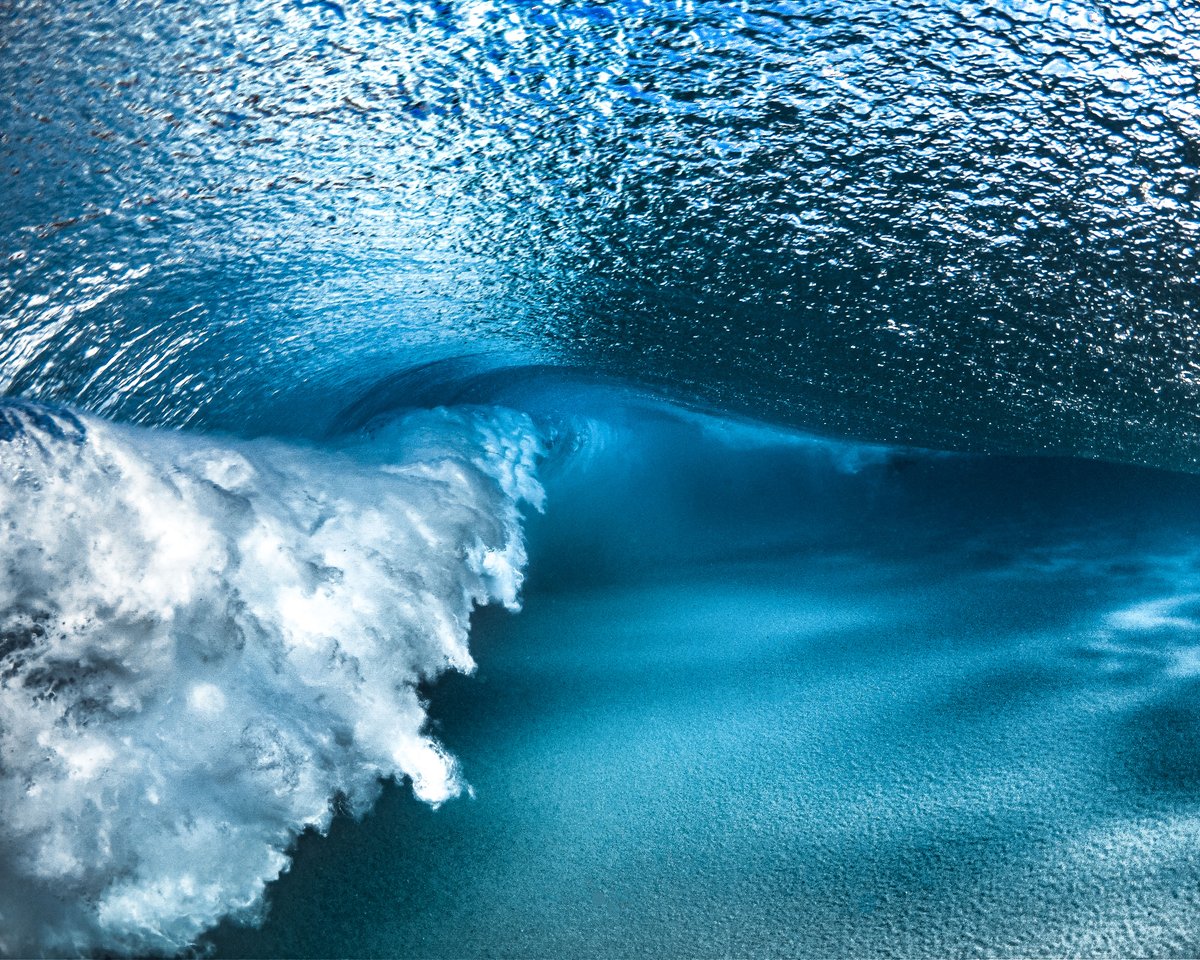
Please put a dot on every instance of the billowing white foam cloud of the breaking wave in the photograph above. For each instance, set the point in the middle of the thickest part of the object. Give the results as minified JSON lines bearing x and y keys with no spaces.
{"x":203,"y":644}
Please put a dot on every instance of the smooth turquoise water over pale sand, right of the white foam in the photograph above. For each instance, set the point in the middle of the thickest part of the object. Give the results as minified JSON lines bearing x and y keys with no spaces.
{"x":944,"y":710}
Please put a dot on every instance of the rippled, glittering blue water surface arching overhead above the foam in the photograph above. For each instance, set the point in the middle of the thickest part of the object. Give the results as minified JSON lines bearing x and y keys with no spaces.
{"x":953,"y":225}
